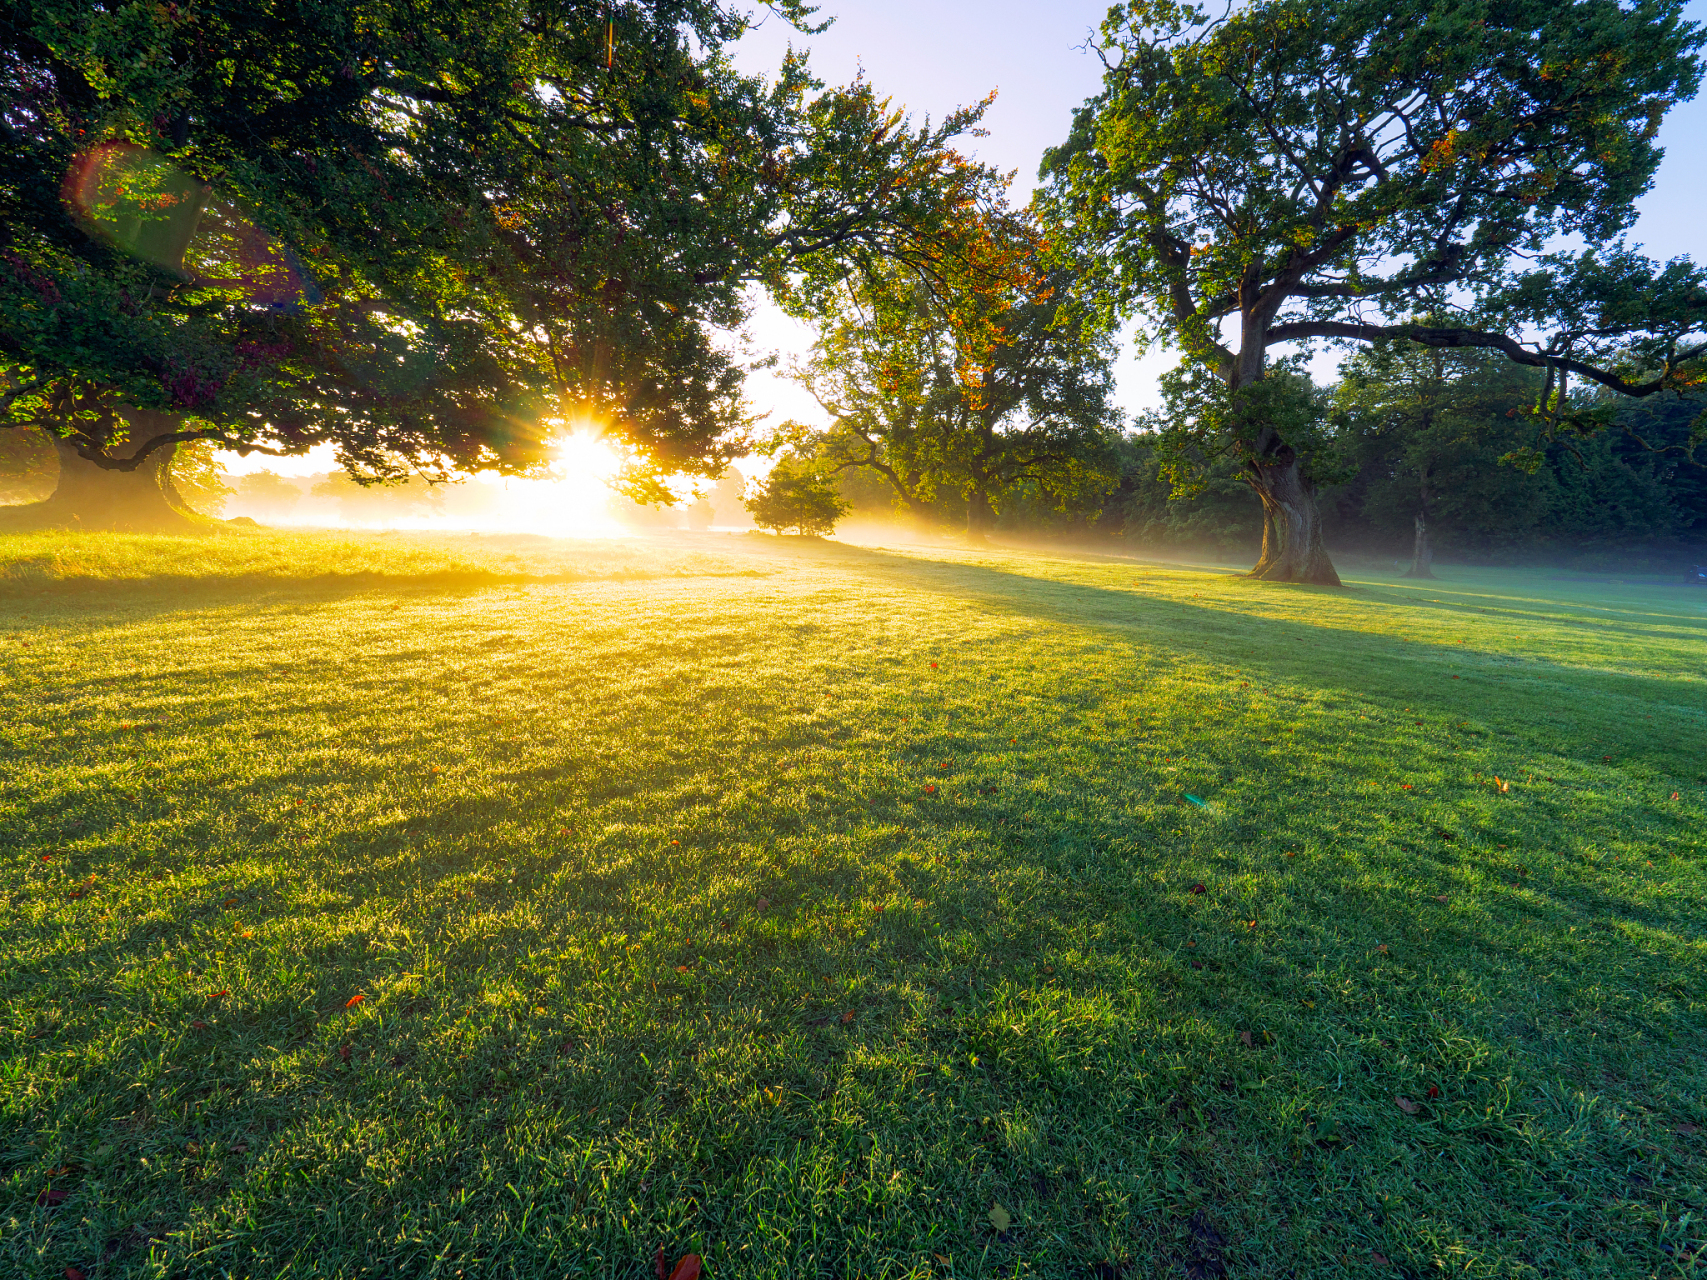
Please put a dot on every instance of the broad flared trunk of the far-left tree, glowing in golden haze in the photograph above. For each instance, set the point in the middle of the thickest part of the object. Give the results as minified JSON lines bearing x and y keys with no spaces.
{"x":93,"y":497}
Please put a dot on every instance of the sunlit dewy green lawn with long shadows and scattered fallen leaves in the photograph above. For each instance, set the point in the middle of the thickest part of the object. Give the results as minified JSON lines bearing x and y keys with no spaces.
{"x":801,"y":905}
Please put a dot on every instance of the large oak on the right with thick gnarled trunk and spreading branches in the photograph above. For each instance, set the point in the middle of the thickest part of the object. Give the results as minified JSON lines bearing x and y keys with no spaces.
{"x":1302,"y":170}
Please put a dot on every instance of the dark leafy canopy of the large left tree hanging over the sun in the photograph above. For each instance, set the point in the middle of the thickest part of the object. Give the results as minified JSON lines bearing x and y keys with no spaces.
{"x":431,"y":231}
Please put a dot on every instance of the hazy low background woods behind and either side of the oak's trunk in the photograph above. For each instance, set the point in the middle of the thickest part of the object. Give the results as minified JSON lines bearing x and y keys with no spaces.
{"x":1418,"y":453}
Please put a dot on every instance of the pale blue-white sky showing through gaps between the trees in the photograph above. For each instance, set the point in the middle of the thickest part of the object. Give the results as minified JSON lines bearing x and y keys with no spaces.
{"x":933,"y":57}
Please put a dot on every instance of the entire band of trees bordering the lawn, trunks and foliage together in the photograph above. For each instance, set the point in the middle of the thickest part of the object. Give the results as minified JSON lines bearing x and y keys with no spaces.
{"x":226,"y":228}
